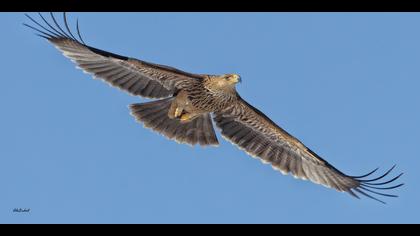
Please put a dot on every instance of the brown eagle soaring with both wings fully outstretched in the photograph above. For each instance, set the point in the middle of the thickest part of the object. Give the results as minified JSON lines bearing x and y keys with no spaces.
{"x":188,"y":104}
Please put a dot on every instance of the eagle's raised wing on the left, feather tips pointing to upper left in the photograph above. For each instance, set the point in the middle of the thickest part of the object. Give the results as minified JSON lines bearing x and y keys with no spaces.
{"x":131,"y":75}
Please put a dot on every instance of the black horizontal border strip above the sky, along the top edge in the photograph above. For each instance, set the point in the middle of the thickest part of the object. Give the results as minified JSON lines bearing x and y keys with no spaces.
{"x":211,"y":6}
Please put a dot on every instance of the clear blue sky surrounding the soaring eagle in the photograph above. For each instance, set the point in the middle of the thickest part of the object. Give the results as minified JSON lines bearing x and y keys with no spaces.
{"x":346,"y":84}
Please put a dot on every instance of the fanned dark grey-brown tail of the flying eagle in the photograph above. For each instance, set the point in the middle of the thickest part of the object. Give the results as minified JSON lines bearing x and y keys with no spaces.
{"x":154,"y":115}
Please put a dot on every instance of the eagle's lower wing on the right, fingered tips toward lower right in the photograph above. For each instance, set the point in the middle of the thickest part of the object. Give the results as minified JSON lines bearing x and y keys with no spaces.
{"x":256,"y":134}
